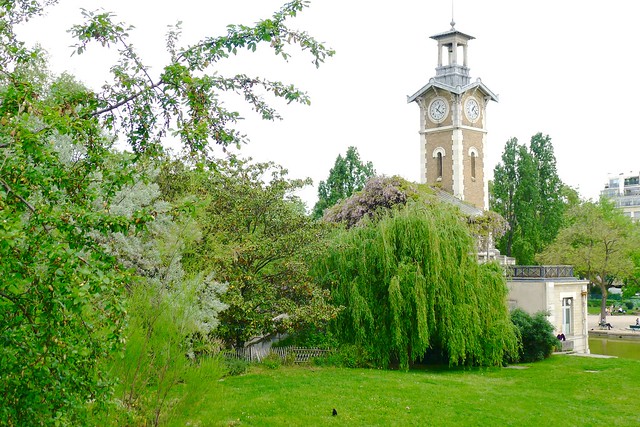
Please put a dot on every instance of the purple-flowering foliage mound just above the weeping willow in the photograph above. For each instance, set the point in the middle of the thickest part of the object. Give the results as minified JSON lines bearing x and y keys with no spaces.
{"x":379,"y":194}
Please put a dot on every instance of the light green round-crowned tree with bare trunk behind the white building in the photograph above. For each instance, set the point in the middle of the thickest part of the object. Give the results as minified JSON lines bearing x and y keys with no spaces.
{"x":598,"y":240}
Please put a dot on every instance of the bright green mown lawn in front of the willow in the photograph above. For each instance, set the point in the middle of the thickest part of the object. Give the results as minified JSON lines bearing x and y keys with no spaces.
{"x":563,"y":390}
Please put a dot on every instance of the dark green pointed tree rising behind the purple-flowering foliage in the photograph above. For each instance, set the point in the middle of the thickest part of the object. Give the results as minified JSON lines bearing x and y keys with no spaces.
{"x":347,"y":176}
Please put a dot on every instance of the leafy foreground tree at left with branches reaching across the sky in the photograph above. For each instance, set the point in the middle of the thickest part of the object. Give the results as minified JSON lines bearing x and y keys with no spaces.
{"x":61,"y":303}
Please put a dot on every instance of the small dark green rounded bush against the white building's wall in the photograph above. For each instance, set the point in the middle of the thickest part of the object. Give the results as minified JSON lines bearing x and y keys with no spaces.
{"x":535,"y":334}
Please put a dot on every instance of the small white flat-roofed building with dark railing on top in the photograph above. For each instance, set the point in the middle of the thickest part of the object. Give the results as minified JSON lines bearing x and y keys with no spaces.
{"x":555,"y":290}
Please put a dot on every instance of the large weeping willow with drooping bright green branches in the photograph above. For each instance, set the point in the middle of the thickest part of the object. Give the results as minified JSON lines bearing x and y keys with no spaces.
{"x":411,"y":288}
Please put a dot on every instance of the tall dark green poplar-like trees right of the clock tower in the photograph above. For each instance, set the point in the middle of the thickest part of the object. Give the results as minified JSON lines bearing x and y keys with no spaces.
{"x":528,"y":193}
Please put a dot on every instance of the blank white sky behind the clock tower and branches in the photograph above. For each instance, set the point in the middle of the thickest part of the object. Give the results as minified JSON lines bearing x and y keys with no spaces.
{"x":566,"y":68}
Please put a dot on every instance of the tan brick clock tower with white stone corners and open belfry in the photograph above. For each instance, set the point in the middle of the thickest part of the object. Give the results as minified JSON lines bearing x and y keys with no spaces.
{"x":452,"y":123}
